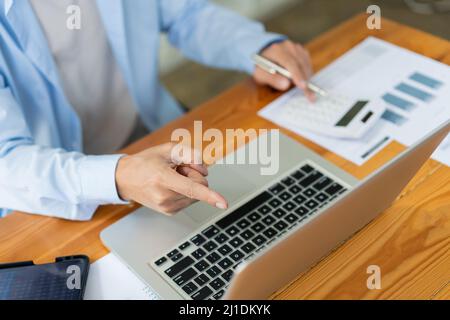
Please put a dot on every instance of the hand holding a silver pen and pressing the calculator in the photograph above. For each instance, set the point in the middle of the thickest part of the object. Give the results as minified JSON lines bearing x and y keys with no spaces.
{"x":294,"y":58}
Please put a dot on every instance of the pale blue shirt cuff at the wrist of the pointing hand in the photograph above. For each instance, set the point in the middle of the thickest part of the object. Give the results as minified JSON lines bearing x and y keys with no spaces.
{"x":98,"y":180}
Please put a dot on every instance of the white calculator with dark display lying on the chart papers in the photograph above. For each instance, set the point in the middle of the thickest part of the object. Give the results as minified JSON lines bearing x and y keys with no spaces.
{"x":332,"y":115}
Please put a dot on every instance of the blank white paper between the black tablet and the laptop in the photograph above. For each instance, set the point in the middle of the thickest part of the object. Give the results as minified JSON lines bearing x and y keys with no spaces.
{"x":110,"y":279}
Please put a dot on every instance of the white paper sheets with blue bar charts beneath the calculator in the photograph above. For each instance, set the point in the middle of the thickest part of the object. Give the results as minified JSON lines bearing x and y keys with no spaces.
{"x":372,"y":70}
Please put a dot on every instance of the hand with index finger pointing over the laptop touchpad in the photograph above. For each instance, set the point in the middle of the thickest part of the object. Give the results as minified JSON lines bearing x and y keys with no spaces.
{"x":164,"y":180}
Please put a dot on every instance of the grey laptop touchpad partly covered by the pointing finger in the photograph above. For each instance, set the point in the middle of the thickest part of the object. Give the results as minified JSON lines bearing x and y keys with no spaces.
{"x":229,"y":181}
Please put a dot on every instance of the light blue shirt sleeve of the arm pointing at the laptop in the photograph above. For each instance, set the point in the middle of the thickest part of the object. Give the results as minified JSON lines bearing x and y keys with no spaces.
{"x":49,"y":181}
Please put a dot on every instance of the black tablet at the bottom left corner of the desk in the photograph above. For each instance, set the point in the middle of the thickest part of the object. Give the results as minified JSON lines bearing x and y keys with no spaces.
{"x":65,"y":279}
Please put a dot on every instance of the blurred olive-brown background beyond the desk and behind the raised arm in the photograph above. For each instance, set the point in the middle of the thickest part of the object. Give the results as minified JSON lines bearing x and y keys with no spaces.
{"x":300,"y":20}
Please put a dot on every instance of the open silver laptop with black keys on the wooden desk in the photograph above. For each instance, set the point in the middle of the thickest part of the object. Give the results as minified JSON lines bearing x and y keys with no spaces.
{"x":275,"y":227}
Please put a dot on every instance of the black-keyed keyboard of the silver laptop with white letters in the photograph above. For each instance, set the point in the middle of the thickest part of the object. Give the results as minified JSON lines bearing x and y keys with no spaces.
{"x":202,"y":267}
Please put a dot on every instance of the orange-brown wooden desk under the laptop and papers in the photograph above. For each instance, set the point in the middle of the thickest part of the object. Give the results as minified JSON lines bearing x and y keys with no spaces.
{"x":410,"y":241}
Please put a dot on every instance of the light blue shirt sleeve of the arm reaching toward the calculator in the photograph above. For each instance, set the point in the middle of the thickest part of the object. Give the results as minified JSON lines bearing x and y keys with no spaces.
{"x":213,"y":35}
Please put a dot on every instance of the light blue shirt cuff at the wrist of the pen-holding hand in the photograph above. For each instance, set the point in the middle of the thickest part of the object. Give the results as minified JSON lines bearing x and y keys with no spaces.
{"x":257,"y":43}
